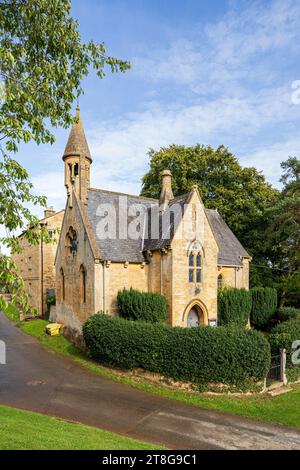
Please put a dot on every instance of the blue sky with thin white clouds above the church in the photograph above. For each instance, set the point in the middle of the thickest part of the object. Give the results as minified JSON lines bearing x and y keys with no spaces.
{"x":213,"y":72}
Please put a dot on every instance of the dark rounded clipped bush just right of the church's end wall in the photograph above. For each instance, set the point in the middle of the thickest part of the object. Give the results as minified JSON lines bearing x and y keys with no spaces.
{"x":264,"y":304}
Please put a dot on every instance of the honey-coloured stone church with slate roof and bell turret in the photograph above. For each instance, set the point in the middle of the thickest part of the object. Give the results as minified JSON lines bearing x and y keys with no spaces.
{"x":110,"y":241}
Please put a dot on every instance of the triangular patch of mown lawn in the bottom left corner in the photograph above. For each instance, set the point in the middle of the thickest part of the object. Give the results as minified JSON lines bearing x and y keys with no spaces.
{"x":23,"y":430}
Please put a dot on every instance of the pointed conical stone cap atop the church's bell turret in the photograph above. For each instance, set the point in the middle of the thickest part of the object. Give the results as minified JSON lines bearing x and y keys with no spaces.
{"x":77,"y":143}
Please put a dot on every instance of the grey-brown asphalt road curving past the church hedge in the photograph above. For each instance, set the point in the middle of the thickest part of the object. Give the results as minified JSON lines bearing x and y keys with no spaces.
{"x":37,"y":380}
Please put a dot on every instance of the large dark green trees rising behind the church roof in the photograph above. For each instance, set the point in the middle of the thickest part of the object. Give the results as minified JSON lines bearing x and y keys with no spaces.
{"x":266,"y":221}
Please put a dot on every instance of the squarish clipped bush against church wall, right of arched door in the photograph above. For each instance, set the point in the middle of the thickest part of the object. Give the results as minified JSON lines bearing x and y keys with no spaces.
{"x":234,"y":307}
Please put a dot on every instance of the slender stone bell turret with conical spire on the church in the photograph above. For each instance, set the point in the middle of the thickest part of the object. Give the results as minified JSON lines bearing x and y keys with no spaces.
{"x":77,"y":160}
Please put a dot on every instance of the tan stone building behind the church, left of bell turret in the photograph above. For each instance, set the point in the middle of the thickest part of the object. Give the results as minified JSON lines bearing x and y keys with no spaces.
{"x":36,"y":262}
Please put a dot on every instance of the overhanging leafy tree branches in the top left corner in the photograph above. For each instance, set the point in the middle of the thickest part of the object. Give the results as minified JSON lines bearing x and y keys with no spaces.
{"x":42,"y":64}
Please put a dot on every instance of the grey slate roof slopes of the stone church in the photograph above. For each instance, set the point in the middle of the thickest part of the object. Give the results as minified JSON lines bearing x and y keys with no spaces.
{"x":118,"y":249}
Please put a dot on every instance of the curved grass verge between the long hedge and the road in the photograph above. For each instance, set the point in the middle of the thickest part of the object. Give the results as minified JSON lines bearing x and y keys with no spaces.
{"x":283,"y":409}
